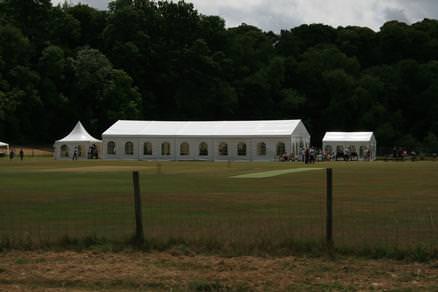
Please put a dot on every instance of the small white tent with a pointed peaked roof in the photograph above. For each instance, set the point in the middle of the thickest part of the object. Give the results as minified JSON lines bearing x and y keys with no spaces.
{"x":78,"y":140}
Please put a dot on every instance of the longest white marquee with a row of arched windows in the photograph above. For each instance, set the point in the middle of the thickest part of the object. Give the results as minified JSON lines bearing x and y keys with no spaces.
{"x":206,"y":140}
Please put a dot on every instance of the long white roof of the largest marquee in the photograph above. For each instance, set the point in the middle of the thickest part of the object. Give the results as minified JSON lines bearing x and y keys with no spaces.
{"x":125,"y":128}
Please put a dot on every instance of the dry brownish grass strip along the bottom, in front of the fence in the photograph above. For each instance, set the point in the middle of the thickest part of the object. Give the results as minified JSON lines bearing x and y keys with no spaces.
{"x":81,"y":271}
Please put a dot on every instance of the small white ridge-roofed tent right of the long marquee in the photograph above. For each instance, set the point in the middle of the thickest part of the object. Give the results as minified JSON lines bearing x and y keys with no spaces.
{"x":359,"y":142}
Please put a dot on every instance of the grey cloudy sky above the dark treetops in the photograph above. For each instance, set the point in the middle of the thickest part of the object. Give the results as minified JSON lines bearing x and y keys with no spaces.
{"x":284,"y":14}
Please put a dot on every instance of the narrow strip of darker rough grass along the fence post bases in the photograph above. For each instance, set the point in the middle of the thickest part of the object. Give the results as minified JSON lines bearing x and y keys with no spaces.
{"x":179,"y":246}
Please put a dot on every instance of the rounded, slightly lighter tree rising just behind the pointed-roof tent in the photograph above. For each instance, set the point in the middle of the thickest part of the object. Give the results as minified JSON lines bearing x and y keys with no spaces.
{"x":102,"y":94}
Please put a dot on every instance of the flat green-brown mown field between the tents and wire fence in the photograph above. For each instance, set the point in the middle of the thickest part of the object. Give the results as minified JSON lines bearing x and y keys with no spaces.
{"x":200,"y":205}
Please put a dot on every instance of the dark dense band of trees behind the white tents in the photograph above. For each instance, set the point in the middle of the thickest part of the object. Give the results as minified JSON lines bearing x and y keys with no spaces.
{"x":160,"y":60}
